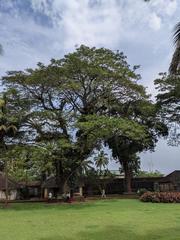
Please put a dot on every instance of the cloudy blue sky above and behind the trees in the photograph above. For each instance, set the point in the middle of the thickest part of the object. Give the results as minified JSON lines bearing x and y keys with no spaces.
{"x":37,"y":30}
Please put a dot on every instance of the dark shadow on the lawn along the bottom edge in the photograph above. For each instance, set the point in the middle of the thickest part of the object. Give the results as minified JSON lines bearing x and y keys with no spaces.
{"x":120,"y":233}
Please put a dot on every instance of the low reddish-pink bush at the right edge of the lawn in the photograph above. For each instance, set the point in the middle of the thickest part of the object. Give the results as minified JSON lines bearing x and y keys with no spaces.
{"x":161,"y":197}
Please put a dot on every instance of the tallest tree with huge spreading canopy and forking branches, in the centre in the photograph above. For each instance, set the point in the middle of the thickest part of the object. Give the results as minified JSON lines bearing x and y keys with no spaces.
{"x":77,"y":103}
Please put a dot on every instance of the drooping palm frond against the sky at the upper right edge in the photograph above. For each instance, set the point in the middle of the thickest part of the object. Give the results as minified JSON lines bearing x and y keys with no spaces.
{"x":175,"y":62}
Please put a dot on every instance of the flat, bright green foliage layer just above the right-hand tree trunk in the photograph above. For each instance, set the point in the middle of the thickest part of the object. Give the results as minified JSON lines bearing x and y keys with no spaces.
{"x":103,"y":127}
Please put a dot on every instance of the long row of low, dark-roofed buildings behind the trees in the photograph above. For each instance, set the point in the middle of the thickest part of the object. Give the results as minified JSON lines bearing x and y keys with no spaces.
{"x":86,"y":187}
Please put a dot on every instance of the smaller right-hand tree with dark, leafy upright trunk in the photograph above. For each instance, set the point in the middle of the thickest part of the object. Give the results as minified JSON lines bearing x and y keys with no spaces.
{"x":127,"y":136}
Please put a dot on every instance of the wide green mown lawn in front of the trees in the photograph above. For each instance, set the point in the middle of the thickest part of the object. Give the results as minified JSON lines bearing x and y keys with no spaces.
{"x":96,"y":220}
